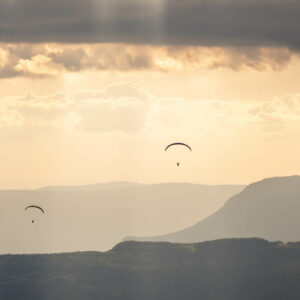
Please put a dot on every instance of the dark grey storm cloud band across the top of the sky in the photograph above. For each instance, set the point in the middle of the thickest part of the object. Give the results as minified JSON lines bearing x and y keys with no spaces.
{"x":172,"y":22}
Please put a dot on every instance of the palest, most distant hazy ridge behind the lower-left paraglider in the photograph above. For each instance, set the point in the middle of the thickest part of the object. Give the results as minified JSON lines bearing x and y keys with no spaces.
{"x":96,"y":217}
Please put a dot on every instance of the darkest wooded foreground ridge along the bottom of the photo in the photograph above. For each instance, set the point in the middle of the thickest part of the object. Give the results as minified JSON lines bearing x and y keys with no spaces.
{"x":250,"y":269}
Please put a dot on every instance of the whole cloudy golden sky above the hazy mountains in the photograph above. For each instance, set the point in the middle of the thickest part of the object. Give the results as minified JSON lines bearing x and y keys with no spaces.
{"x":93,"y":91}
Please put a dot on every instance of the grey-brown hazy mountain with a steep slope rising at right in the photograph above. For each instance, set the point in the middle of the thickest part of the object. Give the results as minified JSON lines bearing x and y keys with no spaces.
{"x":268,"y":209}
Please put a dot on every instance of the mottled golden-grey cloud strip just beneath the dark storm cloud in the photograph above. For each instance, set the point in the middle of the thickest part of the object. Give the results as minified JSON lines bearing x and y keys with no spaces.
{"x":44,"y":60}
